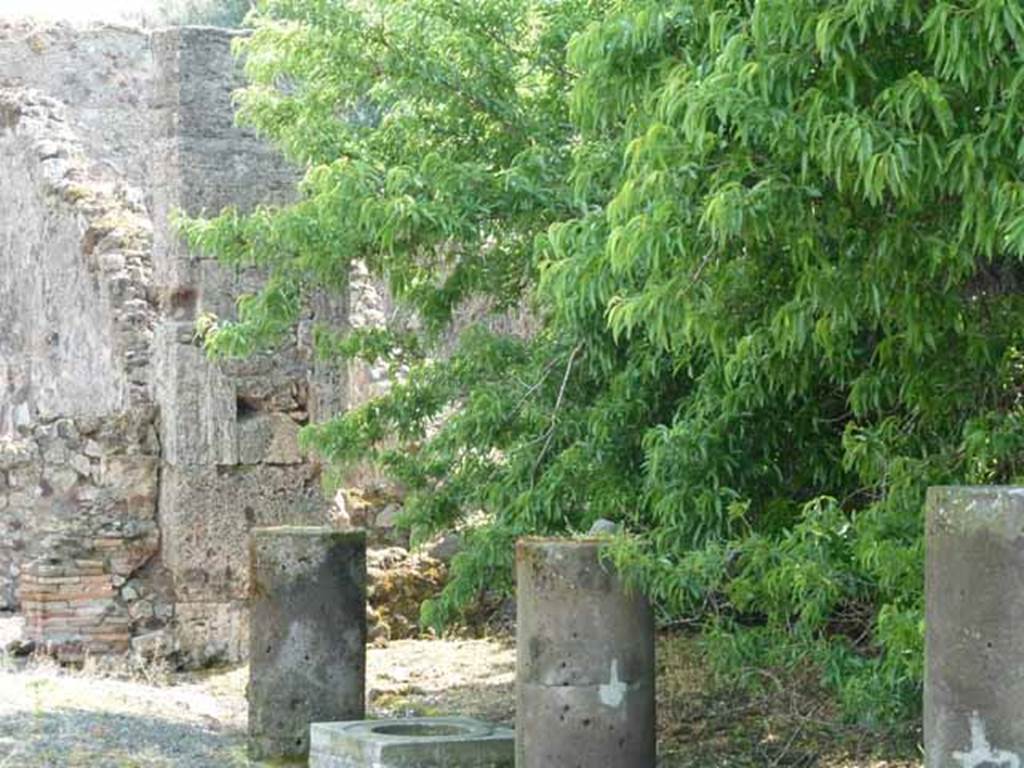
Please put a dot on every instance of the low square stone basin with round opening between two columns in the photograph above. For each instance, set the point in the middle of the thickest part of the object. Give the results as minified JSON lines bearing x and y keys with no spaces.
{"x":411,"y":743}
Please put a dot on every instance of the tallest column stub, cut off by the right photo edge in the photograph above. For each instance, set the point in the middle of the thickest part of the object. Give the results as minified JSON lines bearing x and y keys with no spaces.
{"x":974,"y":676}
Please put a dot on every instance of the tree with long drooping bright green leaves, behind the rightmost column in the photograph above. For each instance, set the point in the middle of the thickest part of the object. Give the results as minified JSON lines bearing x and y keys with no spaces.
{"x":820,"y":229}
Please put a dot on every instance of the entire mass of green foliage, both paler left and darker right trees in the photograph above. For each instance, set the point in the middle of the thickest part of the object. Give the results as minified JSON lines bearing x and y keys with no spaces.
{"x":771,"y":252}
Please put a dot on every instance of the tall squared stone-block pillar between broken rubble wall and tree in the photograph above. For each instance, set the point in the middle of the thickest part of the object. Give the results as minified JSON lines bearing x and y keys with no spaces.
{"x":229,"y":431}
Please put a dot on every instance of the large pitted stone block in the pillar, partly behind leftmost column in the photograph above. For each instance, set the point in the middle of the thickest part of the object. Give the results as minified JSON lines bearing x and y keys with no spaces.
{"x":206,"y":515}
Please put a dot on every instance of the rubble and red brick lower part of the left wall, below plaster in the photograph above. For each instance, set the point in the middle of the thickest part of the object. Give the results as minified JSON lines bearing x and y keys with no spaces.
{"x":78,"y":520}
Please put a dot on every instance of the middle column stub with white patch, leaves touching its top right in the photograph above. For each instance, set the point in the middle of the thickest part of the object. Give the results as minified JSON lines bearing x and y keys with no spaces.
{"x":585,"y":689}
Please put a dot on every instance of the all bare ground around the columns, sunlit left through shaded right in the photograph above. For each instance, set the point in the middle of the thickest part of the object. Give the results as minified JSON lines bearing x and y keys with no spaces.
{"x":146,"y":717}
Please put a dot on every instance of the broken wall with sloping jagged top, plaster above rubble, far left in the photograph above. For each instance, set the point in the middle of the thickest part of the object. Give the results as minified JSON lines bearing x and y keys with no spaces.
{"x":78,"y":445}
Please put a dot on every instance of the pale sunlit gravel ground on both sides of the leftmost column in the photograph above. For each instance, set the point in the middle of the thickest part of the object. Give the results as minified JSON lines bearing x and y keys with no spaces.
{"x":149,"y":718}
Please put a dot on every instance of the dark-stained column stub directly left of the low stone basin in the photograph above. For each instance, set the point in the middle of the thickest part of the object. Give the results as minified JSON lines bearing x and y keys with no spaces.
{"x":308,"y":635}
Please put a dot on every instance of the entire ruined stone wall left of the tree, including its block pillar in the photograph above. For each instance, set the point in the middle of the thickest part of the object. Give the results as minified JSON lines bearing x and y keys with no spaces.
{"x":132,"y":466}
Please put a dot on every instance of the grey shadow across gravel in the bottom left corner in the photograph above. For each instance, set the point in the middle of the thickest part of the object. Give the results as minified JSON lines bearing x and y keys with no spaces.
{"x":83,"y":739}
